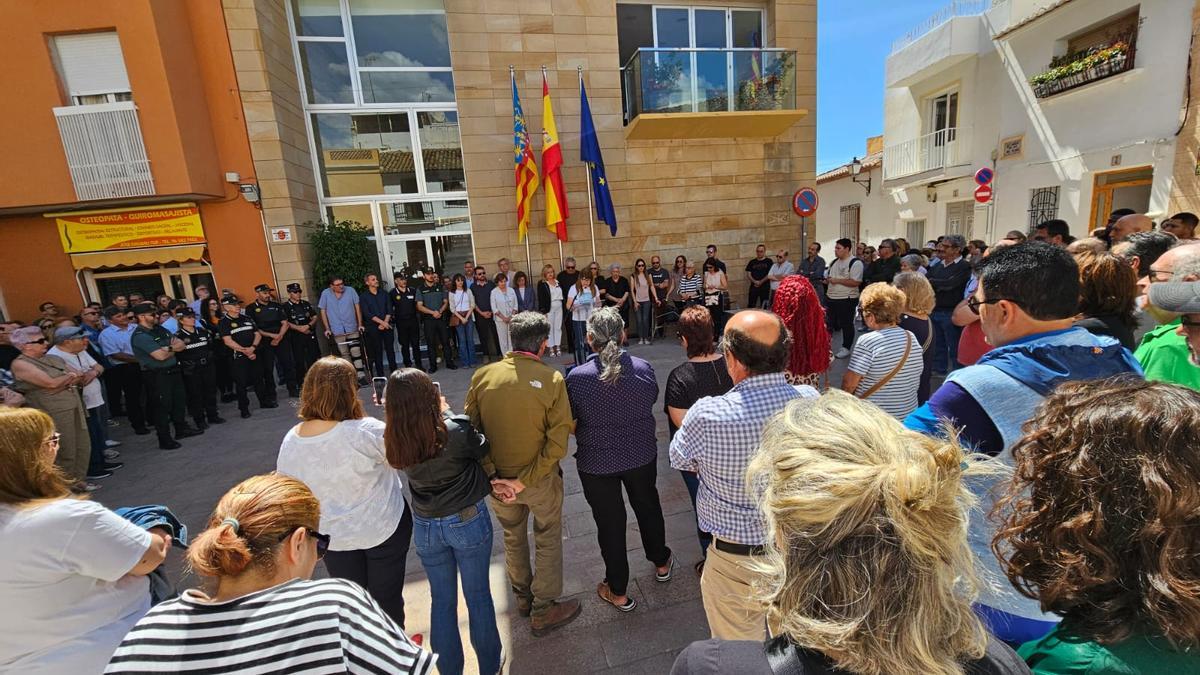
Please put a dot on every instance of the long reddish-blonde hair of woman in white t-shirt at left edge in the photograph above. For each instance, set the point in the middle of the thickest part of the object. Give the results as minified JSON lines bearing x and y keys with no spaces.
{"x":27,"y":471}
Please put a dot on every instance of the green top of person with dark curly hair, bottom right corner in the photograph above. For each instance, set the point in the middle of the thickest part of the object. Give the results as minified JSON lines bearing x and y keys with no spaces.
{"x":1063,"y":654}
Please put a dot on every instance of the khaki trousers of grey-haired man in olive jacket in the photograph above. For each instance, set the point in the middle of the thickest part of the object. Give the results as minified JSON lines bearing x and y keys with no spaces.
{"x":544,"y":582}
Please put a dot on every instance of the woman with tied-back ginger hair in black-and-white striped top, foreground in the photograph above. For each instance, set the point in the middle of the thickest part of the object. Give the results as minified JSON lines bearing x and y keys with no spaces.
{"x":266,"y":614}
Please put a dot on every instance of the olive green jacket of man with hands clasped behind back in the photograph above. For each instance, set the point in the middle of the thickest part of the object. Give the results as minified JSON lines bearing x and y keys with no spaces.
{"x":520,"y":404}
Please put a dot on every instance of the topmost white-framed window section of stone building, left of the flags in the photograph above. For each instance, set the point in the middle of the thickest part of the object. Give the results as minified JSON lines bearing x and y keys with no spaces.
{"x":374,"y":52}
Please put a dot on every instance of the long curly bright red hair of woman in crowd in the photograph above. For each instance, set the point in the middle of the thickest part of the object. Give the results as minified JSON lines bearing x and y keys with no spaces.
{"x":800,"y":307}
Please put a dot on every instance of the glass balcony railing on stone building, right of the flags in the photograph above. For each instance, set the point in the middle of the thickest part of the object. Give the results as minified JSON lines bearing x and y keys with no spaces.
{"x":710,"y":81}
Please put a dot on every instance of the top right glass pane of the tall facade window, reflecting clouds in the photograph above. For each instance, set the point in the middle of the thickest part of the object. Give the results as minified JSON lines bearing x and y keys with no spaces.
{"x":400,"y":33}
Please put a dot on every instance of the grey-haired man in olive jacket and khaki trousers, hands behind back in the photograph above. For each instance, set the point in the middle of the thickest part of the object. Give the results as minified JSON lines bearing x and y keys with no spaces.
{"x":521,"y":405}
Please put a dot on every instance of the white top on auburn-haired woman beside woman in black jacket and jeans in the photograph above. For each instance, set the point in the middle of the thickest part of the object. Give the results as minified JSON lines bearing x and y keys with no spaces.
{"x":362,"y":495}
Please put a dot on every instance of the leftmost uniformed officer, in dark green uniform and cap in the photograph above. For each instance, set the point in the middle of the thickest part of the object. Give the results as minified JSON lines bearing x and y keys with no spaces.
{"x":155,"y":351}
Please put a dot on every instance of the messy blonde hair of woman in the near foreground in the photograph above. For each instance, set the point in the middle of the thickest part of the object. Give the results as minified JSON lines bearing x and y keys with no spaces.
{"x":867,"y":553}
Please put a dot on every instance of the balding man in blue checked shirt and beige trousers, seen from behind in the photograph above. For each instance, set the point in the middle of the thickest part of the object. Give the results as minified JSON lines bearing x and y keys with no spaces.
{"x":717,"y":440}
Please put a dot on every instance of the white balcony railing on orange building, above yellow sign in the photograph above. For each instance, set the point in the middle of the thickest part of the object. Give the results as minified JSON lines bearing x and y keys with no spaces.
{"x":105,"y":151}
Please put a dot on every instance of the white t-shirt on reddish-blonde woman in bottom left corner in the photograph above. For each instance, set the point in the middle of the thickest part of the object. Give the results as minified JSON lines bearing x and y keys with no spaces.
{"x":64,"y":587}
